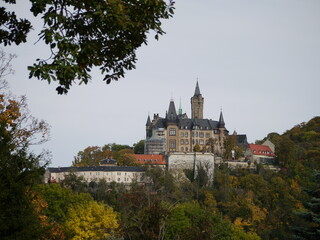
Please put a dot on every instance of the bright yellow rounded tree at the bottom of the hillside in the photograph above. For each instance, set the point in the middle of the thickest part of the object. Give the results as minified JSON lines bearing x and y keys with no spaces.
{"x":91,"y":221}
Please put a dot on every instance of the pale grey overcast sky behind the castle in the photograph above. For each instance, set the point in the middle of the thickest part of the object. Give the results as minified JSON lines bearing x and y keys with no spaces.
{"x":258,"y":60}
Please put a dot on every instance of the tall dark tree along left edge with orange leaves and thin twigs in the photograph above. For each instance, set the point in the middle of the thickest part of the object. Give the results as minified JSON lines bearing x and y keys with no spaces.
{"x":20,"y":169}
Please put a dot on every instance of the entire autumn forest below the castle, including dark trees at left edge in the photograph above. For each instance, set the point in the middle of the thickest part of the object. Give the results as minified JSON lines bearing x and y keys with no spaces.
{"x":238,"y":204}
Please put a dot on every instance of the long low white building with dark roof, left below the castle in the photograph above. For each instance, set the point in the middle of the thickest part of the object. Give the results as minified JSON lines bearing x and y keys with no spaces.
{"x":123,"y":174}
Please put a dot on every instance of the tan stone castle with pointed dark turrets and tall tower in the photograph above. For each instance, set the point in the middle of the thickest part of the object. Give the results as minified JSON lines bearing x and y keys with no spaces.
{"x":178,"y":133}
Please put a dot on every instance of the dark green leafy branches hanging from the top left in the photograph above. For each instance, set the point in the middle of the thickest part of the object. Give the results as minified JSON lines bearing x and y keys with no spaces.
{"x":83,"y":34}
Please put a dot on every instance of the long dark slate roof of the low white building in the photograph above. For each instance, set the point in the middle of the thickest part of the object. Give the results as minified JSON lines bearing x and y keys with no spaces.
{"x":97,"y":169}
